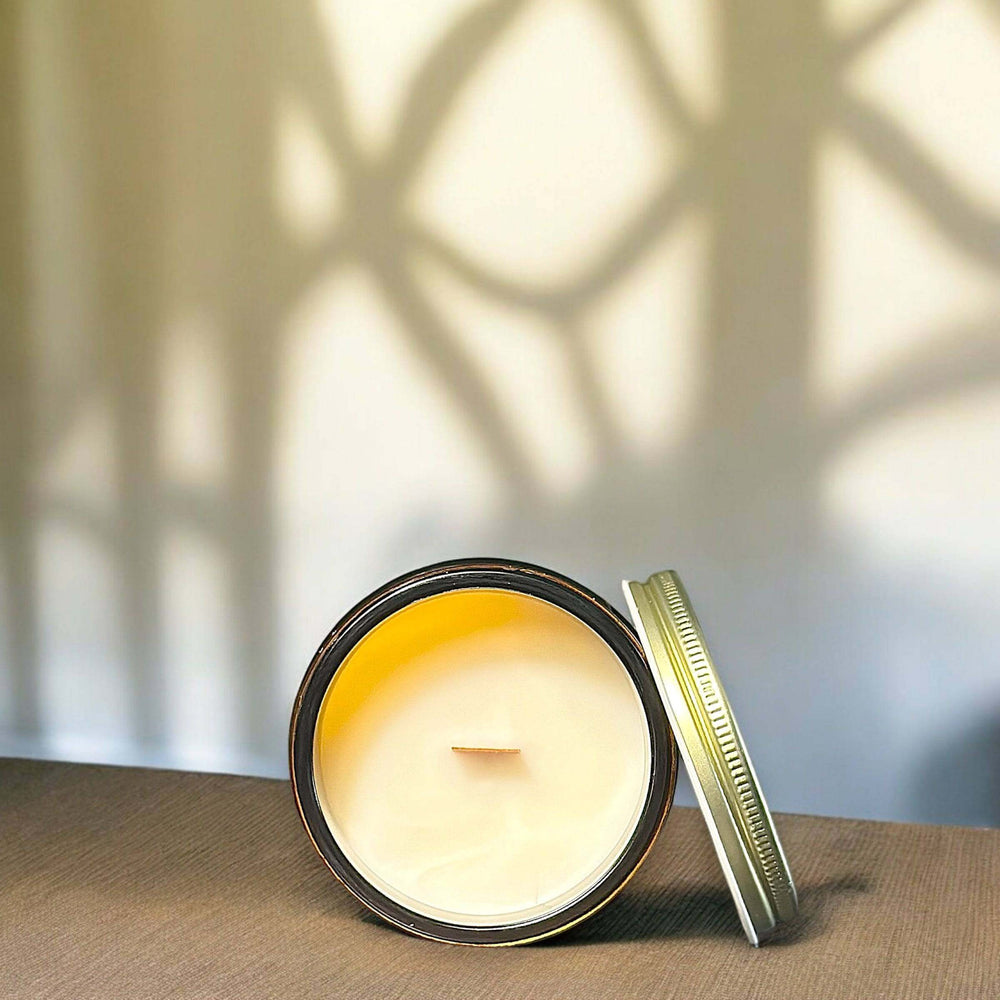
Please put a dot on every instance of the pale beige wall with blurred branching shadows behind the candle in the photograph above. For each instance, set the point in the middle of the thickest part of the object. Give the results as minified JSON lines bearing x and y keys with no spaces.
{"x":298,"y":296}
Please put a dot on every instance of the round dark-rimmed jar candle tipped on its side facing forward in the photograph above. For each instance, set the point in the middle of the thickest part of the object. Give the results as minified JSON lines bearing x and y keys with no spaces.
{"x":487,"y":763}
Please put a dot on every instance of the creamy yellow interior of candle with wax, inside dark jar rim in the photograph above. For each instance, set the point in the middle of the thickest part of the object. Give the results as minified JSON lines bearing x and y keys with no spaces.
{"x":466,"y":835}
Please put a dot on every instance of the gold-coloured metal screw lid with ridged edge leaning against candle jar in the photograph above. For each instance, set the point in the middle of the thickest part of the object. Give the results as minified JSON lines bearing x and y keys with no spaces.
{"x":717,"y":761}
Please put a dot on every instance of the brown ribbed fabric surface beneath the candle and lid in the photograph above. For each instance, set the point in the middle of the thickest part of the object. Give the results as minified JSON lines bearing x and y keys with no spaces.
{"x":129,"y":883}
